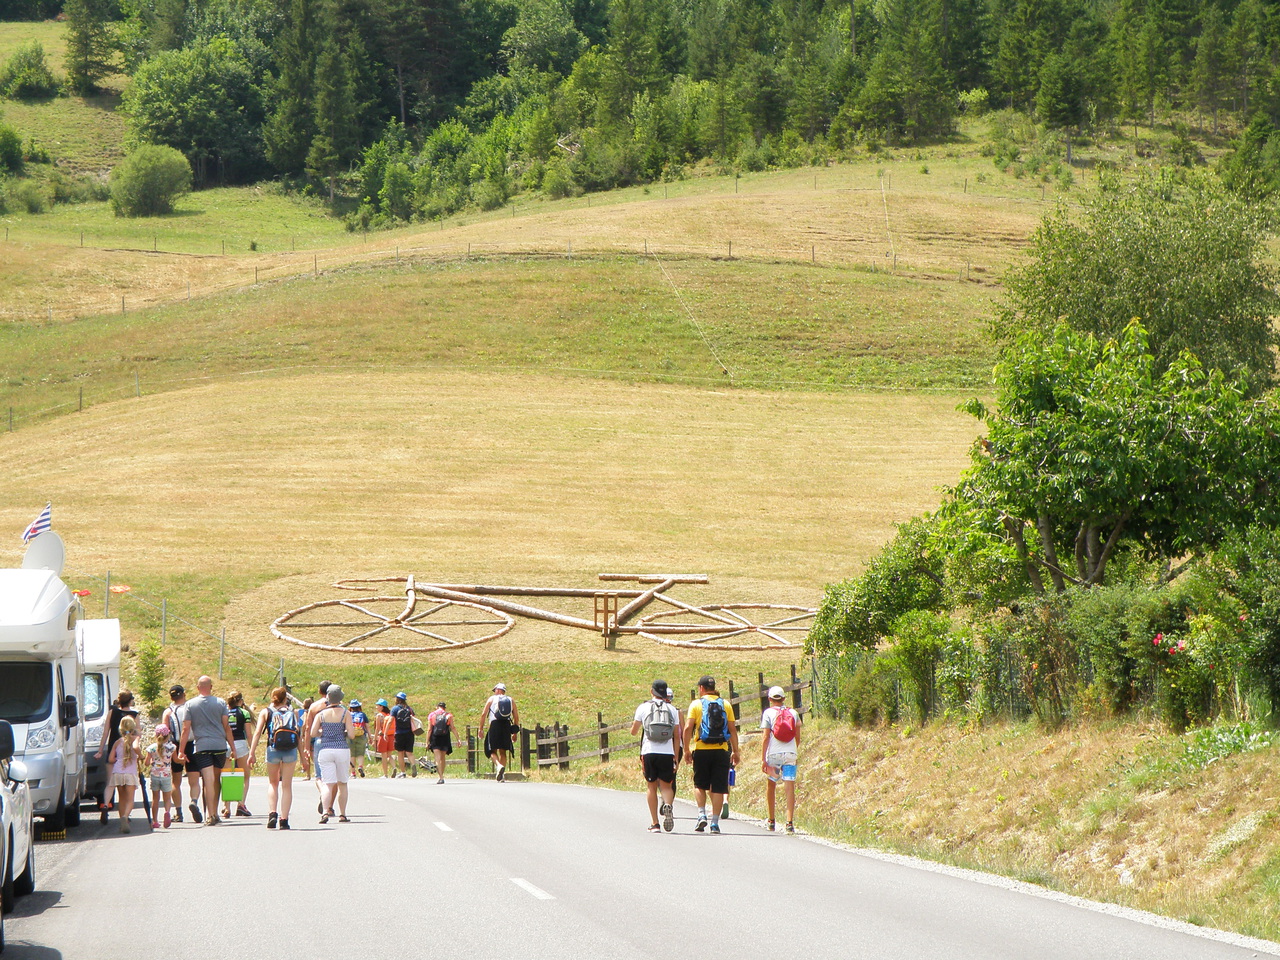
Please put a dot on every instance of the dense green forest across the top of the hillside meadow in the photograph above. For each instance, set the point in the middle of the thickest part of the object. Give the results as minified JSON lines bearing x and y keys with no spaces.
{"x":422,"y":107}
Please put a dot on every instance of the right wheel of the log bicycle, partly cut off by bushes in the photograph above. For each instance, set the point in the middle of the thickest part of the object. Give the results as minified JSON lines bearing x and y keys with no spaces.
{"x":730,"y":627}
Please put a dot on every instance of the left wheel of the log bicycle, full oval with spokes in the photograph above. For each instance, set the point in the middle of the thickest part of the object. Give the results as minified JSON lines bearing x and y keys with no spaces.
{"x":391,"y":625}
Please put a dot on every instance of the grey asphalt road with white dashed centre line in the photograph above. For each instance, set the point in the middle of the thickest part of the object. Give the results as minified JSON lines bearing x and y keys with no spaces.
{"x":477,"y":870}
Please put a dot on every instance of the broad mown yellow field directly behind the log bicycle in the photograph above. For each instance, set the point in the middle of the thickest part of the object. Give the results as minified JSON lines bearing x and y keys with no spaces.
{"x":456,"y":476}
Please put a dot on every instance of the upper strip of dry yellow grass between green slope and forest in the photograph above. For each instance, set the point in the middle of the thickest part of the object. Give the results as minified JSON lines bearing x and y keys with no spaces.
{"x":926,"y":226}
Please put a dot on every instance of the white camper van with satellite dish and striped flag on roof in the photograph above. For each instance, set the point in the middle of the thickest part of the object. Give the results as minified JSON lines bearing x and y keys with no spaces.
{"x":42,"y":679}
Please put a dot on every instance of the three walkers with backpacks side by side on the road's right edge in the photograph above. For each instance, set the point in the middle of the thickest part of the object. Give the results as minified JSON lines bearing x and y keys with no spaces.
{"x":706,"y":738}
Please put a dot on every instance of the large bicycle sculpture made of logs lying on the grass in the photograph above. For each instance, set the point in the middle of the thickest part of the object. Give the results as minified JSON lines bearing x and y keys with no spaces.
{"x":431,"y":618}
